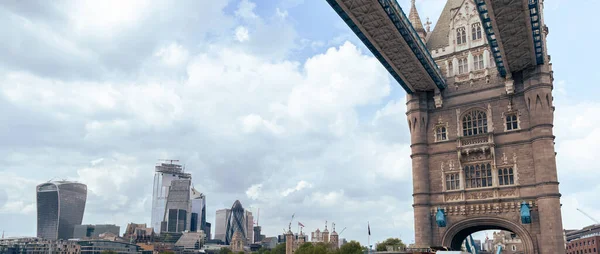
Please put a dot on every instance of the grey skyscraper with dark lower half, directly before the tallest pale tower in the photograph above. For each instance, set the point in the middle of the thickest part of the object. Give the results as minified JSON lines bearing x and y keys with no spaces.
{"x":178,"y":207}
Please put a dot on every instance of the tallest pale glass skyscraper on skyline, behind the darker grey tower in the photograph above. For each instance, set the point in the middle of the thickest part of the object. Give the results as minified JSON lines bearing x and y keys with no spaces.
{"x":165,"y":173}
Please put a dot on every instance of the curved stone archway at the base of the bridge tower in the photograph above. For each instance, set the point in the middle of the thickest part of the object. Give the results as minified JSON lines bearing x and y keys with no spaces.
{"x":455,"y":234}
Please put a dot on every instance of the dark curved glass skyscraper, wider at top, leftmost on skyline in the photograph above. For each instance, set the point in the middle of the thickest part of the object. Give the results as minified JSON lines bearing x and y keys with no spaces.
{"x":60,"y":206}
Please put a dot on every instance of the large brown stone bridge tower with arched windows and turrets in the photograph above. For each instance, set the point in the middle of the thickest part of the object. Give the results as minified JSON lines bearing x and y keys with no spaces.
{"x":483,"y":149}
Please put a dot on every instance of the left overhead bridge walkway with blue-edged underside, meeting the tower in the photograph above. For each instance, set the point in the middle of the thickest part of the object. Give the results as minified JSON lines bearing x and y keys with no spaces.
{"x":384,"y":28}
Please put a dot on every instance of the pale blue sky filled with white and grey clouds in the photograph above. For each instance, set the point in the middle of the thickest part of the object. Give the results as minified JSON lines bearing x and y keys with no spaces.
{"x":274,"y":103}
